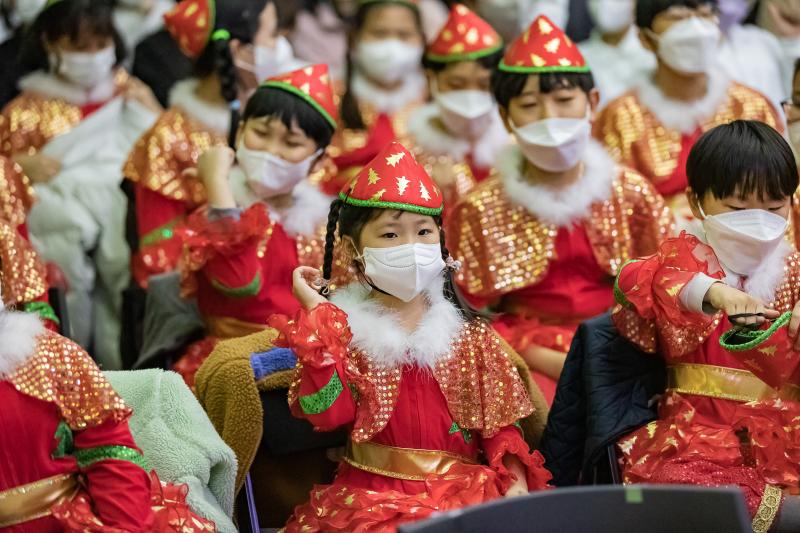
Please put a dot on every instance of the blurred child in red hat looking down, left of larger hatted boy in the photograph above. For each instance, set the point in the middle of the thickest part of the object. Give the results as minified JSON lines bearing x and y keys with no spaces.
{"x":459,"y":136}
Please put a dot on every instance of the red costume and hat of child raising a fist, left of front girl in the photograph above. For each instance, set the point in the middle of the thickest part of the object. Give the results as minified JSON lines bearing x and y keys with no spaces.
{"x":240,"y":269}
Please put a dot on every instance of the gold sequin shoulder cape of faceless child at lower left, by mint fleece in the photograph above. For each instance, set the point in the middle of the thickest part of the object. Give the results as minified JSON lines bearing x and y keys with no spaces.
{"x":62,"y":373}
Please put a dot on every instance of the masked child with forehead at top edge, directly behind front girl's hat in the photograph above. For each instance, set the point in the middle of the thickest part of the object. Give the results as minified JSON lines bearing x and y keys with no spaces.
{"x":384,"y":83}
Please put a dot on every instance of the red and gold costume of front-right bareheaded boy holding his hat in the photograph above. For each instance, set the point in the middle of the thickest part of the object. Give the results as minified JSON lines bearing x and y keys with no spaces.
{"x":725,"y":418}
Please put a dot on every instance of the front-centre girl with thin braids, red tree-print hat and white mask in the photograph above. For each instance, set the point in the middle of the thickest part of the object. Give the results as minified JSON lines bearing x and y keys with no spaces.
{"x":430,"y":394}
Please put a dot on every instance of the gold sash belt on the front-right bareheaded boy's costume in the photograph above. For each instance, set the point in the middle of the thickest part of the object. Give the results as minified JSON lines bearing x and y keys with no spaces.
{"x":725,"y":383}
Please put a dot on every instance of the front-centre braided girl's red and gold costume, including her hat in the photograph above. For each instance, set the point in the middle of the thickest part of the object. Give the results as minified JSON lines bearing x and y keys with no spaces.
{"x":420,"y":406}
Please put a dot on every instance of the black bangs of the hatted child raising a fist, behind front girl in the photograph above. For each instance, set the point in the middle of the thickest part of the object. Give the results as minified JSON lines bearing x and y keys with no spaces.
{"x":277,"y":103}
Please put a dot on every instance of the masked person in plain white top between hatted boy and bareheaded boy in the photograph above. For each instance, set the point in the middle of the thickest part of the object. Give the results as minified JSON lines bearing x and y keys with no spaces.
{"x":614,"y":48}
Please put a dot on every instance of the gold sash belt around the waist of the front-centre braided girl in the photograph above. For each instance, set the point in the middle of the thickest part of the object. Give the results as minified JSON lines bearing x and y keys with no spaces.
{"x":401,"y":463}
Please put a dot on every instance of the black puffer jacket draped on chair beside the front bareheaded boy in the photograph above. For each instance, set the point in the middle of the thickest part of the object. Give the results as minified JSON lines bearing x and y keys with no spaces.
{"x":608,"y":388}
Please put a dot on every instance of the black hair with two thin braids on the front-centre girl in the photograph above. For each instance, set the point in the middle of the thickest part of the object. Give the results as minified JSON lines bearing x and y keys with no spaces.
{"x":347,"y":221}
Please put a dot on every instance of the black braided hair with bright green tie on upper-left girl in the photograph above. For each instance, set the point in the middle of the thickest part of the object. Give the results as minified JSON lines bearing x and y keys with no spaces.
{"x":235,"y":19}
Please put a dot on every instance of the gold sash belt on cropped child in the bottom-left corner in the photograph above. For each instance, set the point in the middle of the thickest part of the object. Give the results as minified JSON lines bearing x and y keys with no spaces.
{"x":34,"y":500}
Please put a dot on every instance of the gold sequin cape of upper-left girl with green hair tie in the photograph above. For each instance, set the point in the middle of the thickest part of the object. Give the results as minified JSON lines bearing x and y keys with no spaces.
{"x":171,"y":146}
